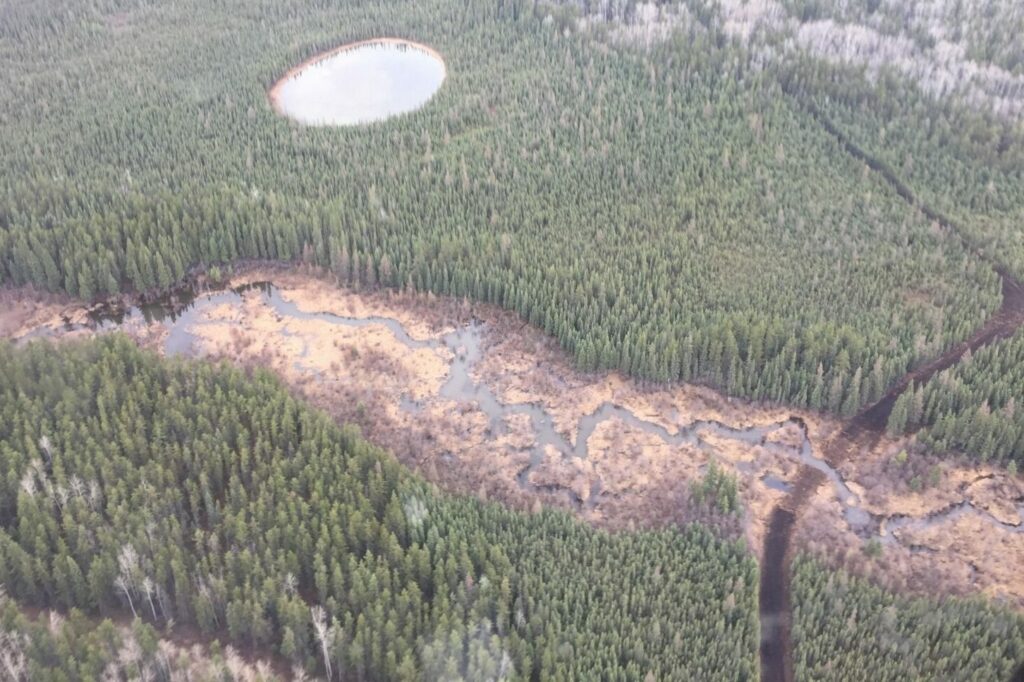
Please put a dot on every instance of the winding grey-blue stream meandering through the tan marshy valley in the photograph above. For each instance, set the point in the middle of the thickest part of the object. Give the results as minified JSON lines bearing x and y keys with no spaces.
{"x":466,"y":345}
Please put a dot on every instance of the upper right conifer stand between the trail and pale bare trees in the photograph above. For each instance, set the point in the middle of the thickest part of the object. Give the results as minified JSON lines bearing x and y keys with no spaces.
{"x":965,"y":164}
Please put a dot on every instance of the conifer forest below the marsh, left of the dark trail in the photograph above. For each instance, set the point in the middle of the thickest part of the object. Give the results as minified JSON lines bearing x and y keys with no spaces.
{"x":198,"y":494}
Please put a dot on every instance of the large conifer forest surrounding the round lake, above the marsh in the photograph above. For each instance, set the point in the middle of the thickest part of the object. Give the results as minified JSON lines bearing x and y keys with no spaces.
{"x":666,"y":214}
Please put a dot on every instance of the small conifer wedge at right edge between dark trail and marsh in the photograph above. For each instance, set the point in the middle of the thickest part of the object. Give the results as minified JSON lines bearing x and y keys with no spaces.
{"x":972,"y":408}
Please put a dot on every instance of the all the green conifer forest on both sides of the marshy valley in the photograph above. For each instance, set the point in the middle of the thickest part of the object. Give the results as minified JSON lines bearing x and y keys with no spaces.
{"x":713,"y":207}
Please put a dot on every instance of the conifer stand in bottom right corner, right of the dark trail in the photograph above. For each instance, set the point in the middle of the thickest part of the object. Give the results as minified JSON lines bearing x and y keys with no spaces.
{"x":846,"y":628}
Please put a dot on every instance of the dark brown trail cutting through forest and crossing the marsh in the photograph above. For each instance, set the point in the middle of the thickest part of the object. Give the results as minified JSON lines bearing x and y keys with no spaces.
{"x":862,"y":434}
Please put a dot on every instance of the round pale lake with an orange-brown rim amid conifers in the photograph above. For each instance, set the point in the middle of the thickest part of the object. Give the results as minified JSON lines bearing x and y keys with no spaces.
{"x":360,"y":83}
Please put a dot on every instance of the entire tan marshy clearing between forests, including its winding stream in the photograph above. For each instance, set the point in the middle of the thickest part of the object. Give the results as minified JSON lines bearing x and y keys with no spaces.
{"x":642,"y":446}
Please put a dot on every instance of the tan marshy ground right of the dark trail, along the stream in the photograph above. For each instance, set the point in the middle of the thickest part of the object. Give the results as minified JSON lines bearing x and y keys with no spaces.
{"x":959,"y":556}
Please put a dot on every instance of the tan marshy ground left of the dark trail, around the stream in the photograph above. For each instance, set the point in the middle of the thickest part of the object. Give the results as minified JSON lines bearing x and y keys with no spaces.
{"x":363,"y":375}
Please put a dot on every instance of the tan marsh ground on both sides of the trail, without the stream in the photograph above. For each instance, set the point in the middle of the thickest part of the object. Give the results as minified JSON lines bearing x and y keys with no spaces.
{"x":631,"y":478}
